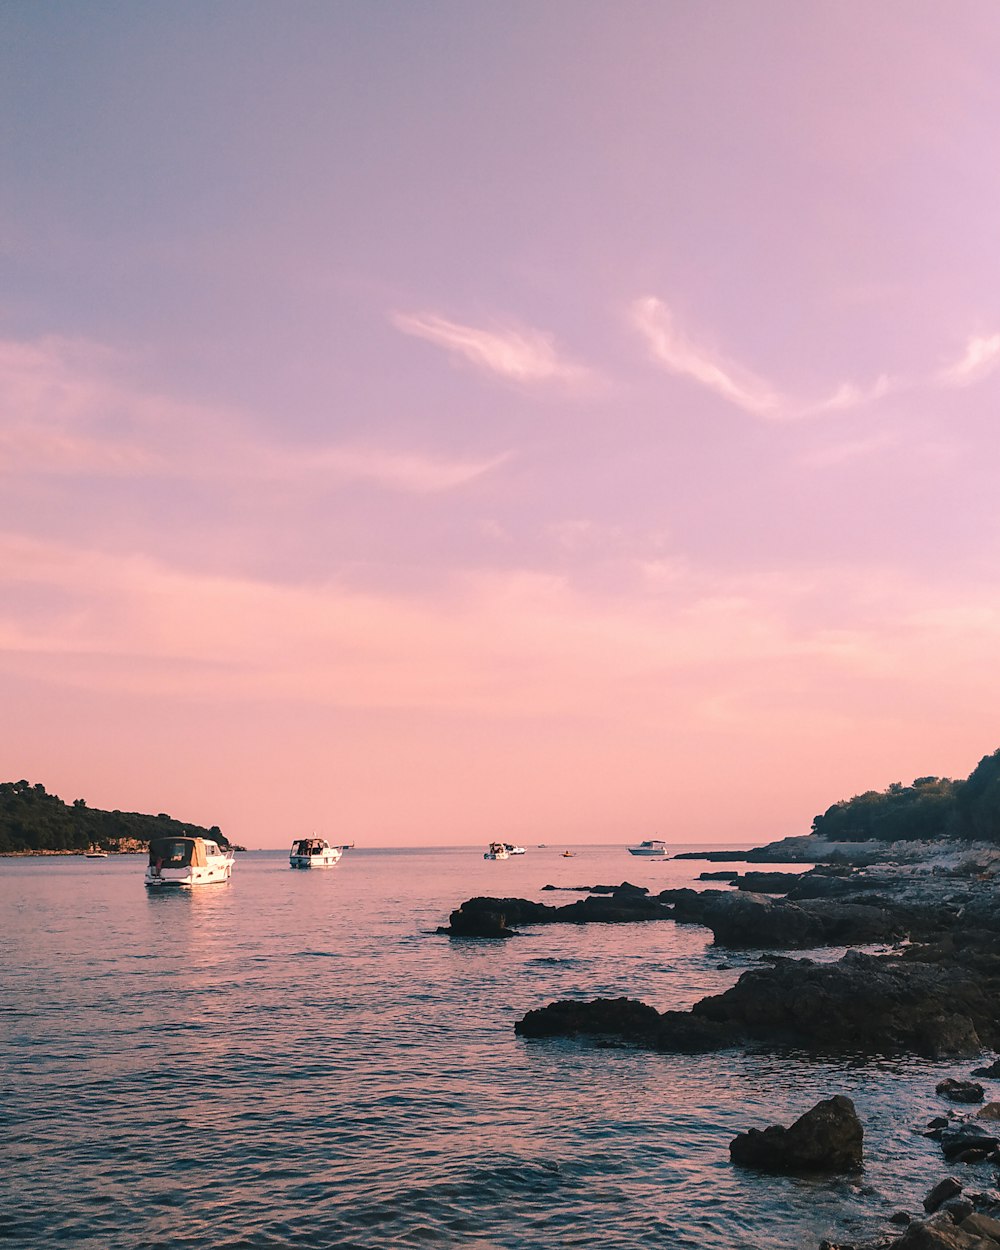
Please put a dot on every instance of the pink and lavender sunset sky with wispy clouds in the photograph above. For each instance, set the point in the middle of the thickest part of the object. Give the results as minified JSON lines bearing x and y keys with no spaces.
{"x":562,"y":422}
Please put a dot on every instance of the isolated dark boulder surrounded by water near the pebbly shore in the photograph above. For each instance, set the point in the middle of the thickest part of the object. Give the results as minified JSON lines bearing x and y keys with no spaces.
{"x":828,"y":1138}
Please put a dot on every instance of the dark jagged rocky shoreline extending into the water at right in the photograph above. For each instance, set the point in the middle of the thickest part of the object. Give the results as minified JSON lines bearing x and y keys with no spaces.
{"x":933,"y":991}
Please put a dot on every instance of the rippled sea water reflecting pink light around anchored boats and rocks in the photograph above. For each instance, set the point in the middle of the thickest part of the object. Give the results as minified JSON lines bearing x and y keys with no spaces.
{"x":297,"y":1059}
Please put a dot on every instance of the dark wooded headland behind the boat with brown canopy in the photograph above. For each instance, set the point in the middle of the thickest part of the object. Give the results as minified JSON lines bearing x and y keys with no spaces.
{"x":37,"y":823}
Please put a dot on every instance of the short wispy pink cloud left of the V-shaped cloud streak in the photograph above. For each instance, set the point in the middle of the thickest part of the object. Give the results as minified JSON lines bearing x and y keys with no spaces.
{"x":519,"y":356}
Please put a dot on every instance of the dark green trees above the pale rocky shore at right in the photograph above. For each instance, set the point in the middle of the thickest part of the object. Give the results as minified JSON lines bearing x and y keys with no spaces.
{"x":929,"y":808}
